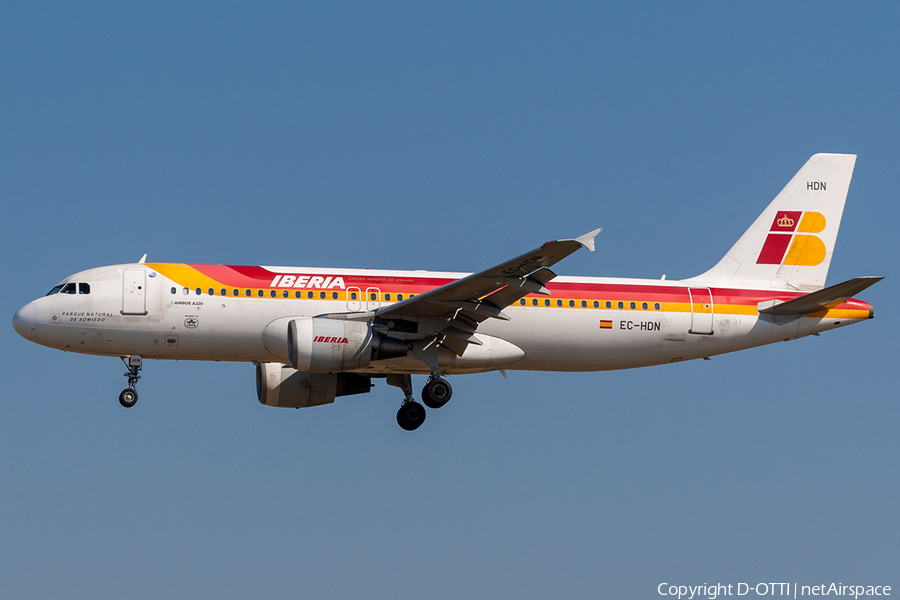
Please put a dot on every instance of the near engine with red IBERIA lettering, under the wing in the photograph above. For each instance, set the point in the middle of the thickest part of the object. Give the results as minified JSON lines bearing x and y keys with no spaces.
{"x":320,"y":345}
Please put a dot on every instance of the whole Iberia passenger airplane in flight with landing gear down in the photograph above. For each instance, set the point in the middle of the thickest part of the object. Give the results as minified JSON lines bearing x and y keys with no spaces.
{"x":315,"y":334}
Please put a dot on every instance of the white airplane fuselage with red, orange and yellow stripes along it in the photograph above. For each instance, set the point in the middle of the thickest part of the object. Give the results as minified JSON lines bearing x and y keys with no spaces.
{"x":183,"y":321}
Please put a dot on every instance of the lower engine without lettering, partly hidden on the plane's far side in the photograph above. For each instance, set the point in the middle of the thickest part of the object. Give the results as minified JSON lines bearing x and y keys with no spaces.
{"x":280,"y":385}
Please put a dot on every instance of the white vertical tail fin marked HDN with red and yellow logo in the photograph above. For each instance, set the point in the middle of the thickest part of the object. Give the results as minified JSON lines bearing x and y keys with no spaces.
{"x":790,"y":244}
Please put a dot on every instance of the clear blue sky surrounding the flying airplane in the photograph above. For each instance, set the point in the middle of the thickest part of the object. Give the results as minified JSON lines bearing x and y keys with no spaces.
{"x":443,"y":137}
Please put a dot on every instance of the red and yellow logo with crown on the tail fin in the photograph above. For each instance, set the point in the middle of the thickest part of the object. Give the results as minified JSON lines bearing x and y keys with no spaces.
{"x":791,"y":229}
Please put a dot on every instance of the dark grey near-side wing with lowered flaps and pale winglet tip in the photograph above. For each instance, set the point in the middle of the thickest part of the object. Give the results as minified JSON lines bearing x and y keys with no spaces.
{"x":463,"y":304}
